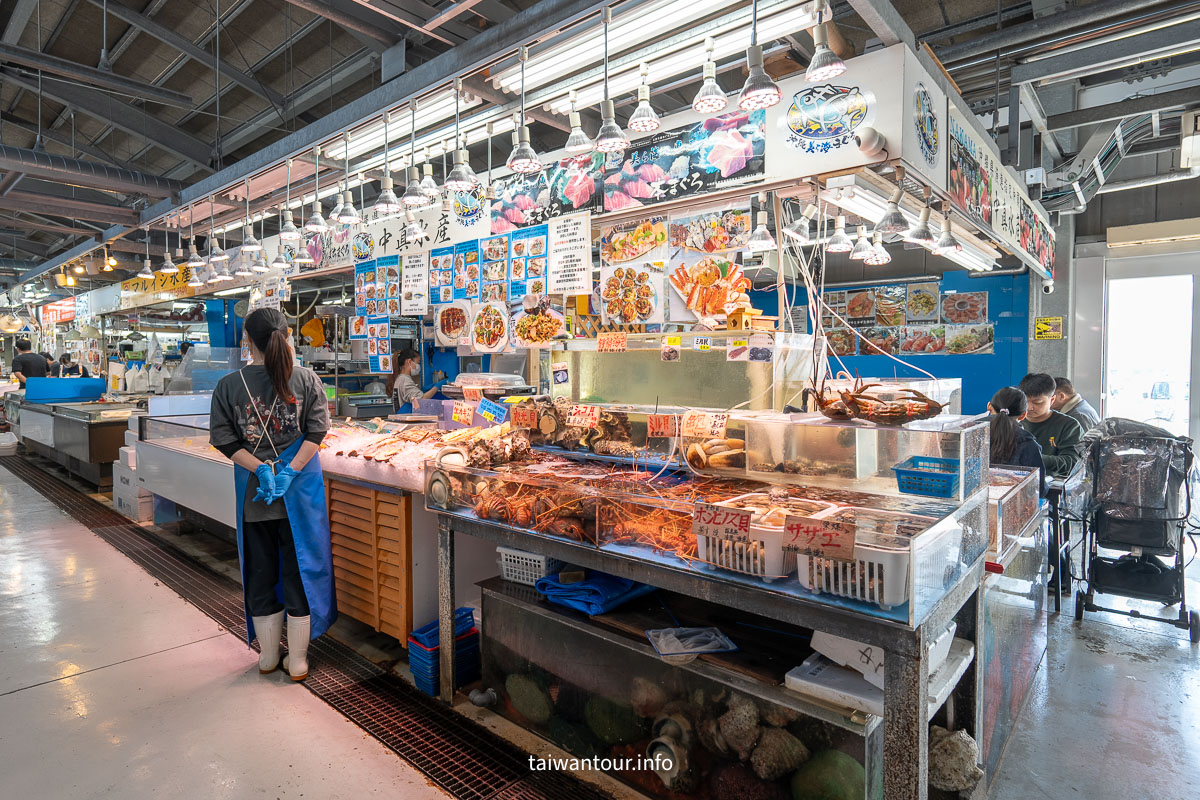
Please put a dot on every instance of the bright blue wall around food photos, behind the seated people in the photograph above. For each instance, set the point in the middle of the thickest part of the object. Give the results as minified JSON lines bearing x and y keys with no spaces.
{"x":1009,"y":303}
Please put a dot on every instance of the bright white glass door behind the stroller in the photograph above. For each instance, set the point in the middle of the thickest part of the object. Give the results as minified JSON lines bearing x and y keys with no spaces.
{"x":1149,"y":351}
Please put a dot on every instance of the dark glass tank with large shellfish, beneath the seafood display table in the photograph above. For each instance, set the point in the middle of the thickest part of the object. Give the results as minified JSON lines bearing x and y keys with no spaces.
{"x":676,"y":731}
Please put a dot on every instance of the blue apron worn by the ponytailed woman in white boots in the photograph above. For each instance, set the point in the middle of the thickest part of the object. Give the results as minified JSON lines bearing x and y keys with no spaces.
{"x":310,"y":531}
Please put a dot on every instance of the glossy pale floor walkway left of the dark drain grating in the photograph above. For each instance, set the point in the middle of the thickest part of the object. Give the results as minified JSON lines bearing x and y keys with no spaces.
{"x":112,"y":685}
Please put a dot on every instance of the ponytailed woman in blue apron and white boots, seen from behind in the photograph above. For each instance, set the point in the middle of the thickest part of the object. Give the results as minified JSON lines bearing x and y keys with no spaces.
{"x":269,"y":419}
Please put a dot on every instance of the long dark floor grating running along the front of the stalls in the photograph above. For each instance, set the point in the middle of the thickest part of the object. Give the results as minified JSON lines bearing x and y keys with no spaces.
{"x":460,"y":756}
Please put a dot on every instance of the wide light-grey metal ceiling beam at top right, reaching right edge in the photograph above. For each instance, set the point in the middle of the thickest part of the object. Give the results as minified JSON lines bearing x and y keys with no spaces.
{"x":1175,"y":39}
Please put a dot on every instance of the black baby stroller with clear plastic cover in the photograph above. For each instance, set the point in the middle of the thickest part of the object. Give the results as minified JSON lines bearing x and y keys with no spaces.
{"x":1139,"y":503}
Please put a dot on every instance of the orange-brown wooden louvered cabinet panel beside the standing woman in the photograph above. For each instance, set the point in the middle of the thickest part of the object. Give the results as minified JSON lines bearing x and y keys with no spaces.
{"x":373,"y":548}
